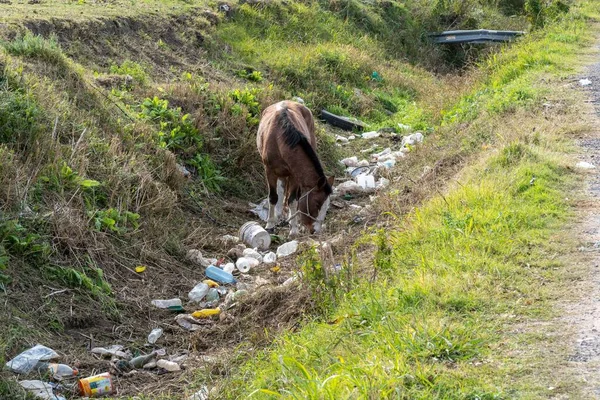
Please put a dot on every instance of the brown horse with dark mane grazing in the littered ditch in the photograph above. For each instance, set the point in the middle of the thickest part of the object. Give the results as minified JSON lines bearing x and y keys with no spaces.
{"x":286,"y":142}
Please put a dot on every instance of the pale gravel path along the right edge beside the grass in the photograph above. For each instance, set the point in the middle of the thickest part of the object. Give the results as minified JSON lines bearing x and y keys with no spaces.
{"x":580,"y":374}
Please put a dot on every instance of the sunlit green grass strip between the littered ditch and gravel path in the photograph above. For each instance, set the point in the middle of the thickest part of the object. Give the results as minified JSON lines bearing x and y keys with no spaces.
{"x":457,"y":276}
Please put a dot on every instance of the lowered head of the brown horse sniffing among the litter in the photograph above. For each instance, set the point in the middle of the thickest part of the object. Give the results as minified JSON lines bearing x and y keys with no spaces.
{"x":314,"y":204}
